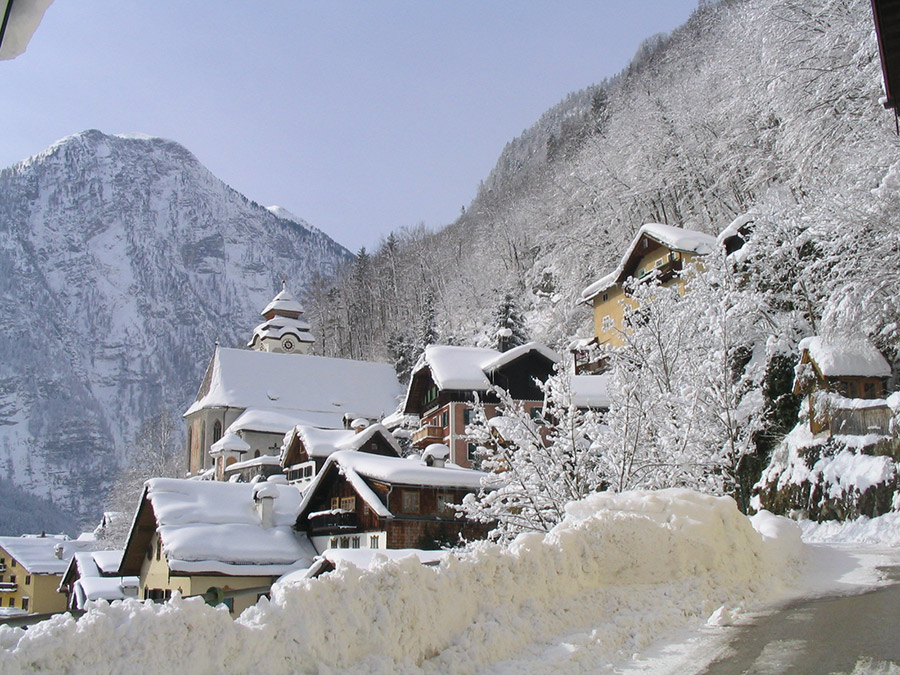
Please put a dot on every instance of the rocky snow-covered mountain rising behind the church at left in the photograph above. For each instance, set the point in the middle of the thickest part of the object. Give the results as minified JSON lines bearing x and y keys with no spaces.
{"x":122,"y":261}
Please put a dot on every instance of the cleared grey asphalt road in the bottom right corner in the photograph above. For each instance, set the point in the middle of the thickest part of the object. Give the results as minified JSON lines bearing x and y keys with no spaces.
{"x":845,"y":634}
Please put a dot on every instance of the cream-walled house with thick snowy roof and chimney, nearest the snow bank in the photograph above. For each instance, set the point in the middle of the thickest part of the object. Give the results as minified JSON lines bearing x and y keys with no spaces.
{"x":190,"y":536}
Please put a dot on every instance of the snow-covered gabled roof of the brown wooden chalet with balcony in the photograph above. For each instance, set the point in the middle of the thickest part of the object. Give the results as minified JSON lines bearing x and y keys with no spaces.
{"x":355,"y":466}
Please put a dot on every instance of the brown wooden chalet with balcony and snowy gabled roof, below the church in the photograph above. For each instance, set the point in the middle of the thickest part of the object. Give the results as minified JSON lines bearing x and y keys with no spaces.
{"x":365,"y":501}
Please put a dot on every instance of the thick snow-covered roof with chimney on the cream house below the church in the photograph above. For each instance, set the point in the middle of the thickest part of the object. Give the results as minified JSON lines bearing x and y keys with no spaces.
{"x":209,"y":526}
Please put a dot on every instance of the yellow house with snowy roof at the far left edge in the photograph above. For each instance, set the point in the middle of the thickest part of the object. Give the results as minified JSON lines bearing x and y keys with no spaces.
{"x":31,"y":568}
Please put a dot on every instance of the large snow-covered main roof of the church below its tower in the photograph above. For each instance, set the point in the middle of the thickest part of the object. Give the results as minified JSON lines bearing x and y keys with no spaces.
{"x":324,"y":388}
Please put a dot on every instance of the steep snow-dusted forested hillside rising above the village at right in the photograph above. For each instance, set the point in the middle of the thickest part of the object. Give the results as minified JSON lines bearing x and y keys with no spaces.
{"x":765,"y":105}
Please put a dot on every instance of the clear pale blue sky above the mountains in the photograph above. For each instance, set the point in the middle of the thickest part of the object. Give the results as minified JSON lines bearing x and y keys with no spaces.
{"x":360,"y":117}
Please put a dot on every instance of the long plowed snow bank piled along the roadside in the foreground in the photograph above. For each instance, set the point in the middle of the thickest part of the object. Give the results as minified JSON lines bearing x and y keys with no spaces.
{"x":618,"y":573}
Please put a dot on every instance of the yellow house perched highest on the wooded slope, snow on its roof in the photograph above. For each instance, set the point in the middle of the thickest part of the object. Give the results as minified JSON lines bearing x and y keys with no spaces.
{"x":657,"y":252}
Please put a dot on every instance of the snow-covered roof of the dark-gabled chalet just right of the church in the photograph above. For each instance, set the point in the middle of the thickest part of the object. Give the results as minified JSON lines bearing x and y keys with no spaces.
{"x":469,"y":368}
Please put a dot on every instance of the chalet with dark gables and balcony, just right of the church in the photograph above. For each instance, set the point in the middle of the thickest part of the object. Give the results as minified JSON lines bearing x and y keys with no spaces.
{"x":446,"y":379}
